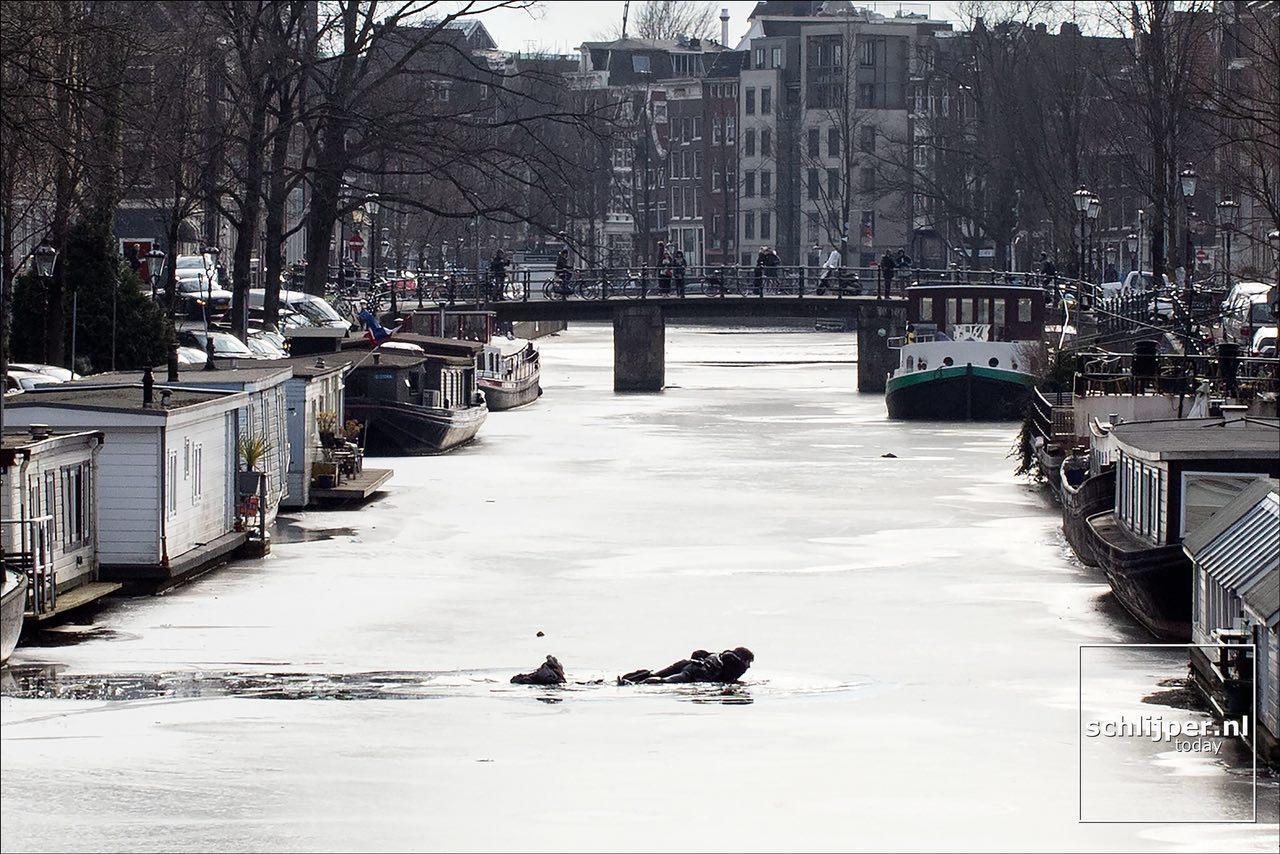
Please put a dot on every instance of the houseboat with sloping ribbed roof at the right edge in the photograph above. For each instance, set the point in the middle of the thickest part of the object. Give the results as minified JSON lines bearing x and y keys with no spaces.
{"x":1236,"y":613}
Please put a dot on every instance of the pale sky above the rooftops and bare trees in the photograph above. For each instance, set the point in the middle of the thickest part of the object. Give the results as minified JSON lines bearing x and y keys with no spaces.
{"x":561,"y":26}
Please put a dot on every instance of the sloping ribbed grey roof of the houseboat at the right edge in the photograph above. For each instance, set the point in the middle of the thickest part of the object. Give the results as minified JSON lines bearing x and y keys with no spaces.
{"x":1241,"y":544}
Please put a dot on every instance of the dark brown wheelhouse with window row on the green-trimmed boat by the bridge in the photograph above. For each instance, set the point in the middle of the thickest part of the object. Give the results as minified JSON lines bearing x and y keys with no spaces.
{"x":976,"y":312}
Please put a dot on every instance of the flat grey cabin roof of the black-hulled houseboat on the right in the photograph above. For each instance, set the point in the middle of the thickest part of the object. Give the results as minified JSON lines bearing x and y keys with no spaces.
{"x":1200,"y":439}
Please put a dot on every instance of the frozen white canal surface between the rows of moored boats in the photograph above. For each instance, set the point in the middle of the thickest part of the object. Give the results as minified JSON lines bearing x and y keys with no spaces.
{"x":916,"y":623}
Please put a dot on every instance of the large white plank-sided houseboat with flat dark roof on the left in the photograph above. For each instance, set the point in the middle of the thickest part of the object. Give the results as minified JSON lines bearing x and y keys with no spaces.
{"x":168,"y":463}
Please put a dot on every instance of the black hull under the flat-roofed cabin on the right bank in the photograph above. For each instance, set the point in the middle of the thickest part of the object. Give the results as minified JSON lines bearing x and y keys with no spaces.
{"x":1154,"y":583}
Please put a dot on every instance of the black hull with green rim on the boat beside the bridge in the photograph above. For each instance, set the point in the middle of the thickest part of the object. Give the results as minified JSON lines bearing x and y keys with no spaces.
{"x":959,"y":394}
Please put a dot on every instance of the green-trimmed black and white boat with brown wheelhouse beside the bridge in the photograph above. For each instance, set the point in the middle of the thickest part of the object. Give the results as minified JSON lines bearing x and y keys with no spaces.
{"x":972,"y":353}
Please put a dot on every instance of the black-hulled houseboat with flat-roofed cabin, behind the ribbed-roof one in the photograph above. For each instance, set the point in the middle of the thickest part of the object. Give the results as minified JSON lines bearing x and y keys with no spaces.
{"x":1169,"y":478}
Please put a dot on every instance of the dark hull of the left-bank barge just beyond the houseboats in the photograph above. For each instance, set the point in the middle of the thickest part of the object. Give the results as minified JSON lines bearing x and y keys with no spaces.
{"x":400,"y":431}
